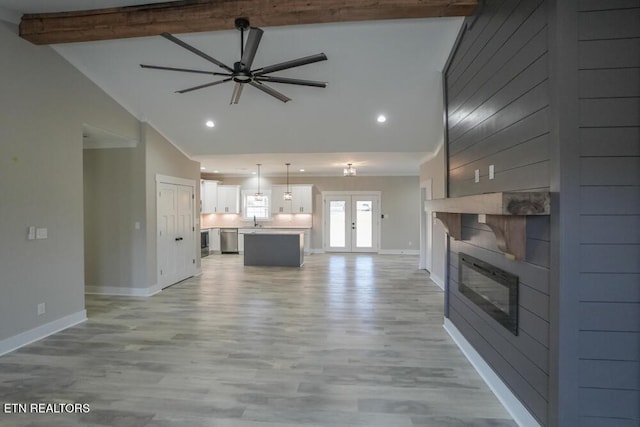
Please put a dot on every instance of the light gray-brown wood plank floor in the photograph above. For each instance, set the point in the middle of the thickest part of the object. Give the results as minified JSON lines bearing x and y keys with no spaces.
{"x":347,"y":340}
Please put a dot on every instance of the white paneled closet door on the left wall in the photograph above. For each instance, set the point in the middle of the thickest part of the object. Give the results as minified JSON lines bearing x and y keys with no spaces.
{"x":176,"y":244}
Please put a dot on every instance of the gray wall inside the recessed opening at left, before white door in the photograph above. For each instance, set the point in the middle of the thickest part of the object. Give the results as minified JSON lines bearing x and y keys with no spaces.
{"x":114,"y":200}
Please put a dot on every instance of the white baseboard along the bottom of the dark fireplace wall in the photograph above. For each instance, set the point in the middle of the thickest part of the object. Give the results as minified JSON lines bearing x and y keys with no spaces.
{"x":511,"y":403}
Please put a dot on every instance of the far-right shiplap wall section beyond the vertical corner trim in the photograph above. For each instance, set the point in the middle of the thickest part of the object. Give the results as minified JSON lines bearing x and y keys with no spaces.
{"x":609,"y":76}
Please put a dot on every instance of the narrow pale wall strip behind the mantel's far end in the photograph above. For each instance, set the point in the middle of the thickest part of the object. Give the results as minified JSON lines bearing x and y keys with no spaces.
{"x":433,"y":171}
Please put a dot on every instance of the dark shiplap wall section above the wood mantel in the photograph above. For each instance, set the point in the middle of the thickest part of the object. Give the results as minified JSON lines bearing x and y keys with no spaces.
{"x":498,"y":101}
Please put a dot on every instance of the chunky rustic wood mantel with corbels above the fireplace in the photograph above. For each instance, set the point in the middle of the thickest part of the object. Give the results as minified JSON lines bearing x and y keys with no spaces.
{"x":504,"y":213}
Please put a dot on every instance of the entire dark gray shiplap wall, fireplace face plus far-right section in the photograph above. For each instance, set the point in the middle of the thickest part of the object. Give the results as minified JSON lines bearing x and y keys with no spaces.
{"x":549,"y":92}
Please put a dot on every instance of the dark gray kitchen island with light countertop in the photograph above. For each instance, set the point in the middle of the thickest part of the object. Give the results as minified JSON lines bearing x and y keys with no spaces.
{"x":283,"y":248}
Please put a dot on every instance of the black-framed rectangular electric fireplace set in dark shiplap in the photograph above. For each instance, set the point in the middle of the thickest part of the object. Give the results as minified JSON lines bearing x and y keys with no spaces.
{"x":494,"y":290}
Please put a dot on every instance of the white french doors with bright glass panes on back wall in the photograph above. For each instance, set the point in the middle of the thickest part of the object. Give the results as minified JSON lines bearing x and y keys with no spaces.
{"x":351,"y":222}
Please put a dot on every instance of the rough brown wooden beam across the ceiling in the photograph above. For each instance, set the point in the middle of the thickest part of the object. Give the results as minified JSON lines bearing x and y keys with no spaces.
{"x":210,"y":15}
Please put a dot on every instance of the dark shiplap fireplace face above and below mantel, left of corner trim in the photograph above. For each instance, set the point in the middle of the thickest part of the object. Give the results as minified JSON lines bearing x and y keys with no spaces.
{"x":498,"y":113}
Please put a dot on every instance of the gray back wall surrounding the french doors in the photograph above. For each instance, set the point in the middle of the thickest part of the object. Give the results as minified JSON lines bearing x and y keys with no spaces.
{"x":400,"y":201}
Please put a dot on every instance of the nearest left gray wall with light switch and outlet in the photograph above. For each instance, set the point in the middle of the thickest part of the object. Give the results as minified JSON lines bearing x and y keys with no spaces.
{"x":44,"y":103}
